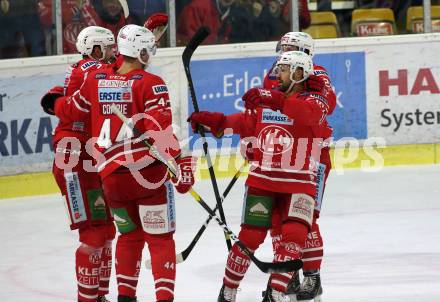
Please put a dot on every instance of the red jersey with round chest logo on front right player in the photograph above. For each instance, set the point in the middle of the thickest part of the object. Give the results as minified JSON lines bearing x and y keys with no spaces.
{"x":286,"y":145}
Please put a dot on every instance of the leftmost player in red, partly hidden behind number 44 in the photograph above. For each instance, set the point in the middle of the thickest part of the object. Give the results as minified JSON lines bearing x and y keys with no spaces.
{"x":82,"y":190}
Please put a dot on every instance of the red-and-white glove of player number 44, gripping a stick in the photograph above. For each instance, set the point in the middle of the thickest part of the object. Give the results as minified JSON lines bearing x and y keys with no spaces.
{"x":186,"y":167}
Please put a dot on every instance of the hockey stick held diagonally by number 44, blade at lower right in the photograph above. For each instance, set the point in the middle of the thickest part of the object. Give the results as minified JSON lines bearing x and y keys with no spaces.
{"x":266,"y":267}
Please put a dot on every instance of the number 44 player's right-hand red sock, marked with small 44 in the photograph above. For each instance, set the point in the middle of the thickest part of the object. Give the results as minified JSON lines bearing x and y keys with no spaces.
{"x":163,"y":264}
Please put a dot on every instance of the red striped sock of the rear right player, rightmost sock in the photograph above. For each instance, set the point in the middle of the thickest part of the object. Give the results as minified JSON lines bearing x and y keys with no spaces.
{"x":313,"y":250}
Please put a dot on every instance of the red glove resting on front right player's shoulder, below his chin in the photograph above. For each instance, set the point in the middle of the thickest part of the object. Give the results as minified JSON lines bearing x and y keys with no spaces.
{"x":259,"y":97}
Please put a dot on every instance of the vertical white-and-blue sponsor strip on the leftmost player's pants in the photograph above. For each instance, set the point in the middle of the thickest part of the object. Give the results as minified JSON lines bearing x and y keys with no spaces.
{"x":75,"y":198}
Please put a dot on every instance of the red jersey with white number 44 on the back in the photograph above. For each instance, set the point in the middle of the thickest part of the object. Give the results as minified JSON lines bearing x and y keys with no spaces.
{"x":140,"y":96}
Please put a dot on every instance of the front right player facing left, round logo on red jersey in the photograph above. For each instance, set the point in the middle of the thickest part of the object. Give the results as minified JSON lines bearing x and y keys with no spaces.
{"x":286,"y":128}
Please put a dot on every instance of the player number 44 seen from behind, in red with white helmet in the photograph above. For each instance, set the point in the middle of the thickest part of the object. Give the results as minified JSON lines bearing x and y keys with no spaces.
{"x":136,"y":185}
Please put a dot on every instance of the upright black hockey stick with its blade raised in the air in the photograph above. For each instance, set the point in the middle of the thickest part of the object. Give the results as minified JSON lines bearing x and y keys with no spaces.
{"x":195,"y":41}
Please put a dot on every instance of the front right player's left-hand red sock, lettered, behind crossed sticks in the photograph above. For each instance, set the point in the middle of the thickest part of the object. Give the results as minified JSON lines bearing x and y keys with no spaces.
{"x":238,"y":262}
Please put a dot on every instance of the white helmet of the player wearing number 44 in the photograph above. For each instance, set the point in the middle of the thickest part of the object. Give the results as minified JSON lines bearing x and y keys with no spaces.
{"x":132,"y":39}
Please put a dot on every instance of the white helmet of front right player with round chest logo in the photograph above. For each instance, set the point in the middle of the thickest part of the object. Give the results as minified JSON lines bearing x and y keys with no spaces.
{"x":296,"y":59}
